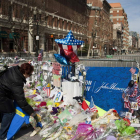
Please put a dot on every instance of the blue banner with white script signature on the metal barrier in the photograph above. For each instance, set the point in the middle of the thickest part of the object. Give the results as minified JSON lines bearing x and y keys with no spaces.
{"x":106,"y":85}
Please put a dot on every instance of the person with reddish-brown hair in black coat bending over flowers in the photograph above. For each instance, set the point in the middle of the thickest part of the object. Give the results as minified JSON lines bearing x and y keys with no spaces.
{"x":11,"y":89}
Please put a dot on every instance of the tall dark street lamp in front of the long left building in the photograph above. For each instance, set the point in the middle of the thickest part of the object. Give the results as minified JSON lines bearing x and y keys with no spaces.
{"x":37,"y":19}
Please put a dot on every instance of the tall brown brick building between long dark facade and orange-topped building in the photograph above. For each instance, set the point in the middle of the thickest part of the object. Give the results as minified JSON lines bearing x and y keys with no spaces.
{"x":100,"y":27}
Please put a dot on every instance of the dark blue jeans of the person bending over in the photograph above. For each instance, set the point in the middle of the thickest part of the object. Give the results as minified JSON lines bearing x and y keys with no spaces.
{"x":5,"y":124}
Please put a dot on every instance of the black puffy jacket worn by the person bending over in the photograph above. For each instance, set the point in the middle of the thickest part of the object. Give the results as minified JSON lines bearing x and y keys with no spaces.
{"x":11,"y":88}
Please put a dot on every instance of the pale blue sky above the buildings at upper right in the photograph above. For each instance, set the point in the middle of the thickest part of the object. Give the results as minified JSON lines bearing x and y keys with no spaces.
{"x":132,"y":9}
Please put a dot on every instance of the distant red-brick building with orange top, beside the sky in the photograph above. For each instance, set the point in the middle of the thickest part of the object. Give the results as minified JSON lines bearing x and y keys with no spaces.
{"x":118,"y":16}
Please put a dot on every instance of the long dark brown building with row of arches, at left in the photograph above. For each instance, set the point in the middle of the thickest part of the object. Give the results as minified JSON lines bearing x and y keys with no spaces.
{"x":55,"y":18}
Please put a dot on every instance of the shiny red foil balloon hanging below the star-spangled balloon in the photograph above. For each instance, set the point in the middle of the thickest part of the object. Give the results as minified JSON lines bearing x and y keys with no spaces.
{"x":71,"y":56}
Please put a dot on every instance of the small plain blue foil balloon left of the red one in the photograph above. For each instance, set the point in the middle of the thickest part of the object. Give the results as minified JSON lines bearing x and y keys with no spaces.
{"x":60,"y":59}
